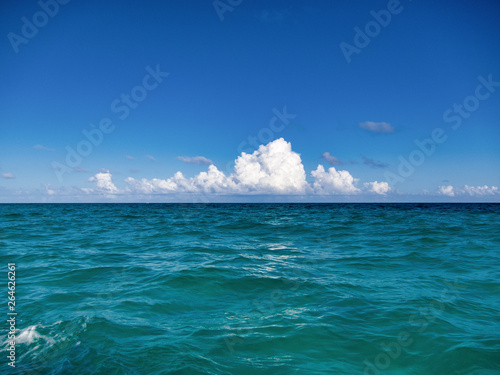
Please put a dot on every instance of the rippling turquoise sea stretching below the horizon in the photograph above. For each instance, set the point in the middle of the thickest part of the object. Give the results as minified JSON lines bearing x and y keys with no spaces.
{"x":253,"y":289}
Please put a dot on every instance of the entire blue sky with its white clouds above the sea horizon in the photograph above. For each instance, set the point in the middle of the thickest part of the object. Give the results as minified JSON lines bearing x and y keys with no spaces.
{"x":207,"y":75}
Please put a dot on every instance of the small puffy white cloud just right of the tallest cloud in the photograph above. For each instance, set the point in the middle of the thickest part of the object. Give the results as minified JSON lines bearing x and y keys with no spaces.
{"x":333,"y":181}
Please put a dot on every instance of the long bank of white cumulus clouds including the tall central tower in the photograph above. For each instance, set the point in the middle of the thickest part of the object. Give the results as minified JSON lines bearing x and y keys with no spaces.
{"x":271,"y":169}
